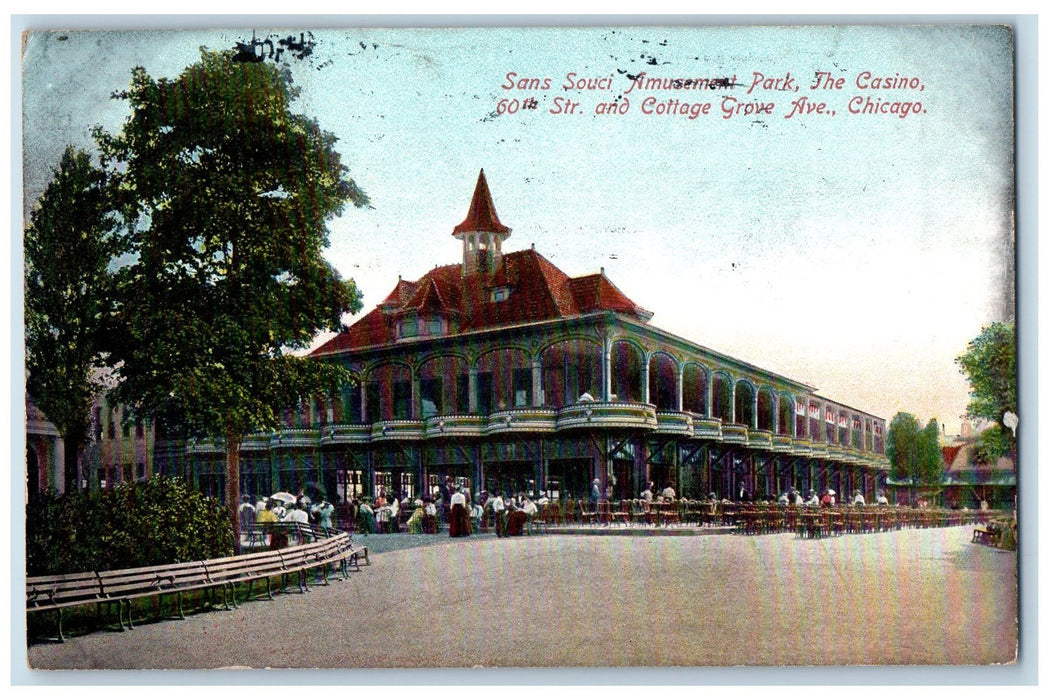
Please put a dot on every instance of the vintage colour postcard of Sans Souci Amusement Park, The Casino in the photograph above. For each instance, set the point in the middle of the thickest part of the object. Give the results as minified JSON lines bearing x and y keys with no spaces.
{"x":651,"y":347}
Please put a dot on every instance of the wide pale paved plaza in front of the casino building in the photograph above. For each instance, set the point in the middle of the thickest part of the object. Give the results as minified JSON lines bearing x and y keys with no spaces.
{"x":908,"y":598}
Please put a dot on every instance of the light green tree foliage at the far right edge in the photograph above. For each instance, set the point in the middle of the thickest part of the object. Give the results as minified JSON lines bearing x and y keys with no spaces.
{"x":990,"y":364}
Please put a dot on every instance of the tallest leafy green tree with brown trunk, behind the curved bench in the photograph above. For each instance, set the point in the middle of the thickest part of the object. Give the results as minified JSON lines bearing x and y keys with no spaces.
{"x":229,"y":196}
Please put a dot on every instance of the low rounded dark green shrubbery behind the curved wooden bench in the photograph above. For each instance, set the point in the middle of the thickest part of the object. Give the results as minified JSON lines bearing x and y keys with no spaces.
{"x":135,"y":525}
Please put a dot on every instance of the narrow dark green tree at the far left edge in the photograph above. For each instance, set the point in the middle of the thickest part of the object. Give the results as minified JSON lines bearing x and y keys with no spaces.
{"x":71,"y":242}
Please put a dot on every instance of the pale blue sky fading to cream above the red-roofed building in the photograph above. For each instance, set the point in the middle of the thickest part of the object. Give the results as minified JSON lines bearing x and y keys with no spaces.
{"x":858,"y":253}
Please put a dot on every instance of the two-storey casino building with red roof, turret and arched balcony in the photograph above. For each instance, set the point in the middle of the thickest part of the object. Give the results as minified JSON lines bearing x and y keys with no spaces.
{"x":505,"y":373}
